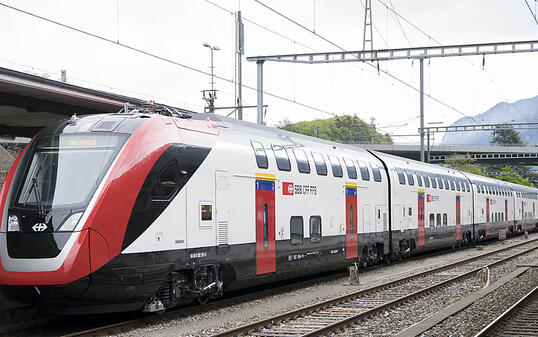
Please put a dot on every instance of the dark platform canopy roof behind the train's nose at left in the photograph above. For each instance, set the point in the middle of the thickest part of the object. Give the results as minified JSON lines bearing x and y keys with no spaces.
{"x":28,"y":103}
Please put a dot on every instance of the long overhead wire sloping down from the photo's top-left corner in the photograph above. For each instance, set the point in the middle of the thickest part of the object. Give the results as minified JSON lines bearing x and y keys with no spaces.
{"x":161,"y":58}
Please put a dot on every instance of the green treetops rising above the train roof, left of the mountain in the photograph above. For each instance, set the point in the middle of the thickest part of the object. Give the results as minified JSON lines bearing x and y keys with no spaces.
{"x":350,"y":129}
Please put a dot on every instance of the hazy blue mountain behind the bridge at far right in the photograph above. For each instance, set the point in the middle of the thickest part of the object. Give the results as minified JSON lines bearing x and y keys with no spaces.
{"x":522,"y":111}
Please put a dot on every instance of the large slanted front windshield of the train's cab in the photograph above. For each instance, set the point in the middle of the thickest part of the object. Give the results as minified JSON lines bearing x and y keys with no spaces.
{"x":66,"y":170}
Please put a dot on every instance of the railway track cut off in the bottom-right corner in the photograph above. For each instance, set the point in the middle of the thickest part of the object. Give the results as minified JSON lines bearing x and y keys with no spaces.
{"x":521,"y":319}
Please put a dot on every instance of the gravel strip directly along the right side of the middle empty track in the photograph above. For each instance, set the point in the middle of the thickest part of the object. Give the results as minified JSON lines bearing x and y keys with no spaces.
{"x":404,"y":316}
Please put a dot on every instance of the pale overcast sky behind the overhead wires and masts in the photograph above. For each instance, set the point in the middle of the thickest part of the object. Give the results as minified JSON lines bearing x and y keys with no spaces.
{"x":176,"y":30}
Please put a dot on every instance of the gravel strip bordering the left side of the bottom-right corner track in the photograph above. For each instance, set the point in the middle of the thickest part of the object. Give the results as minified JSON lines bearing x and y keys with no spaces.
{"x":481,"y":313}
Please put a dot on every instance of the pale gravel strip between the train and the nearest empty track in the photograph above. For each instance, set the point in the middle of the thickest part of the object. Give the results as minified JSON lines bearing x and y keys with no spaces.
{"x":211,"y":322}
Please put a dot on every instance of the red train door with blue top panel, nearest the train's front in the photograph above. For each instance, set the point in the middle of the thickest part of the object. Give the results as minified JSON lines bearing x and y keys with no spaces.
{"x":265,"y":226}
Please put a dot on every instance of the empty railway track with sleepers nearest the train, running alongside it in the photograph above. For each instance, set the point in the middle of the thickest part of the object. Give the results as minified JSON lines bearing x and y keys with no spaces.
{"x":338,"y":313}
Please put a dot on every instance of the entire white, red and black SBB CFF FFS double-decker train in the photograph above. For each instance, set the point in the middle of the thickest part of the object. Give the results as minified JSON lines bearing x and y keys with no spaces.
{"x":139,"y":211}
